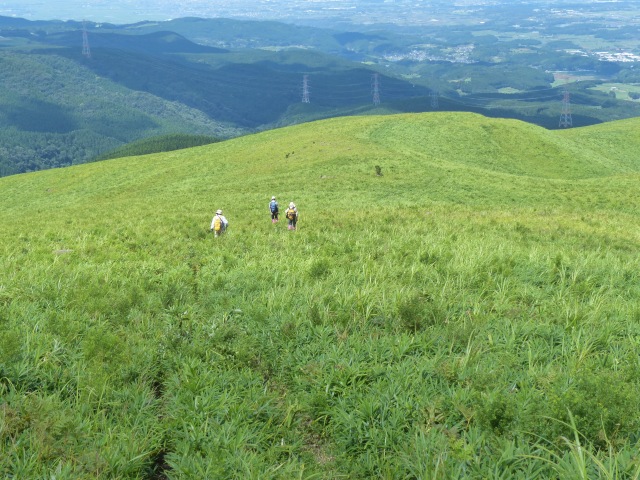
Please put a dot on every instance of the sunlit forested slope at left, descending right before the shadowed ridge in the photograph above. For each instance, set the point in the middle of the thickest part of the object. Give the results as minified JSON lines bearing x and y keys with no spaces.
{"x":57,"y":112}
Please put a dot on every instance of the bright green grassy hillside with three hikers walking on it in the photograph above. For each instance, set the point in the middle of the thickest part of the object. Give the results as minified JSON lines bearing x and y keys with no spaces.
{"x":470,"y":313}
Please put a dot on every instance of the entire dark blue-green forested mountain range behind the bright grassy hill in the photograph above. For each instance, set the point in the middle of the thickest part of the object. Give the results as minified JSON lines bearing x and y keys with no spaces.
{"x":225,"y":78}
